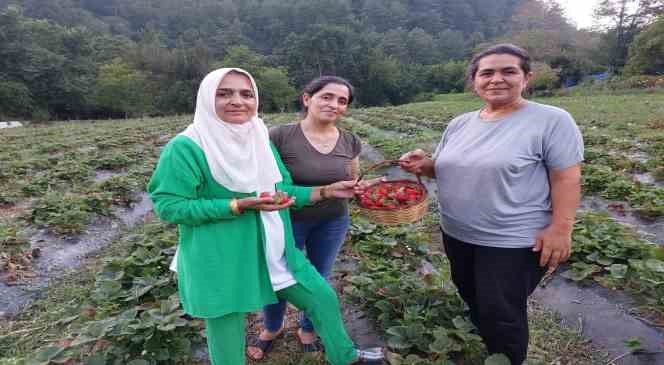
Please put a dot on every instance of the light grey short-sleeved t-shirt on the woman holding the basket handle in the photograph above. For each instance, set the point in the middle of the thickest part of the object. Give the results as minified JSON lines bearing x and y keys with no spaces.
{"x":493,"y":184}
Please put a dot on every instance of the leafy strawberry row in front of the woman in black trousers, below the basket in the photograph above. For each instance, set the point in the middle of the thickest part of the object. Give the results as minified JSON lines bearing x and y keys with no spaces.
{"x":404,"y":286}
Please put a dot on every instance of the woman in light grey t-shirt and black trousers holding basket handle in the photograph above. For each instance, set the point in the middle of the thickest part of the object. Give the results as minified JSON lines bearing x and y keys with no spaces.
{"x":508,"y":180}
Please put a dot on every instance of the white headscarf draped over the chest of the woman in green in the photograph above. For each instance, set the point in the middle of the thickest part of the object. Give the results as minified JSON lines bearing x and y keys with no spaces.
{"x":239,"y":155}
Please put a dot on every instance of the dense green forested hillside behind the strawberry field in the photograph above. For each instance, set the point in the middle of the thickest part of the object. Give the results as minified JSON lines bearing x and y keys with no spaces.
{"x":86,"y":59}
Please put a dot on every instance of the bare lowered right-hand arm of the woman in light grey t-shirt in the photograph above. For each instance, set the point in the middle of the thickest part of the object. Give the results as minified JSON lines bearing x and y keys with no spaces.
{"x":555,"y":241}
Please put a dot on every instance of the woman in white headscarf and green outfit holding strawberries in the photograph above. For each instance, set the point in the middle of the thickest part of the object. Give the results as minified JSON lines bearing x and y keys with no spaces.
{"x":236,"y":251}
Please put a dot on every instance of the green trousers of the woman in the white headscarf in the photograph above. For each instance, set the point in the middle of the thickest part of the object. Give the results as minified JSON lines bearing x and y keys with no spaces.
{"x":226,"y":334}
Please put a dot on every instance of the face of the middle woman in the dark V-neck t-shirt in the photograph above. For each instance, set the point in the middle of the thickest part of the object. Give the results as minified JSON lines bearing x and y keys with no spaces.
{"x":328,"y":104}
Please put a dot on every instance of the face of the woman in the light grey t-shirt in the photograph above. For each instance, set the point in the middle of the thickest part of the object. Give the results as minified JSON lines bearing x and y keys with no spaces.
{"x":499,"y":79}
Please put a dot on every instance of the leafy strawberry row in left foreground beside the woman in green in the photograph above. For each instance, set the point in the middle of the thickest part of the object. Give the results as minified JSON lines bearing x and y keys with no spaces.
{"x":134,"y":314}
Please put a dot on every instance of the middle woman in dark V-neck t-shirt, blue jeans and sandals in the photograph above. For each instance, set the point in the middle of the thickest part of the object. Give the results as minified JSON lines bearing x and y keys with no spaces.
{"x":316,"y":153}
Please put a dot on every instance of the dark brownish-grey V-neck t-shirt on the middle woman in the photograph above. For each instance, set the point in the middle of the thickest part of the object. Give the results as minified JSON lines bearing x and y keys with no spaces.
{"x":309,"y":167}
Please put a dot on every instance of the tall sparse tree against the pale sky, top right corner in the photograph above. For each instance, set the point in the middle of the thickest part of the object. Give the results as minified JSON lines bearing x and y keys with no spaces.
{"x":623,"y":20}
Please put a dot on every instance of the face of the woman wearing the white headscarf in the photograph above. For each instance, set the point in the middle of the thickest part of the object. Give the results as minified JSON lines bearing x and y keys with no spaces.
{"x":235,"y":101}
